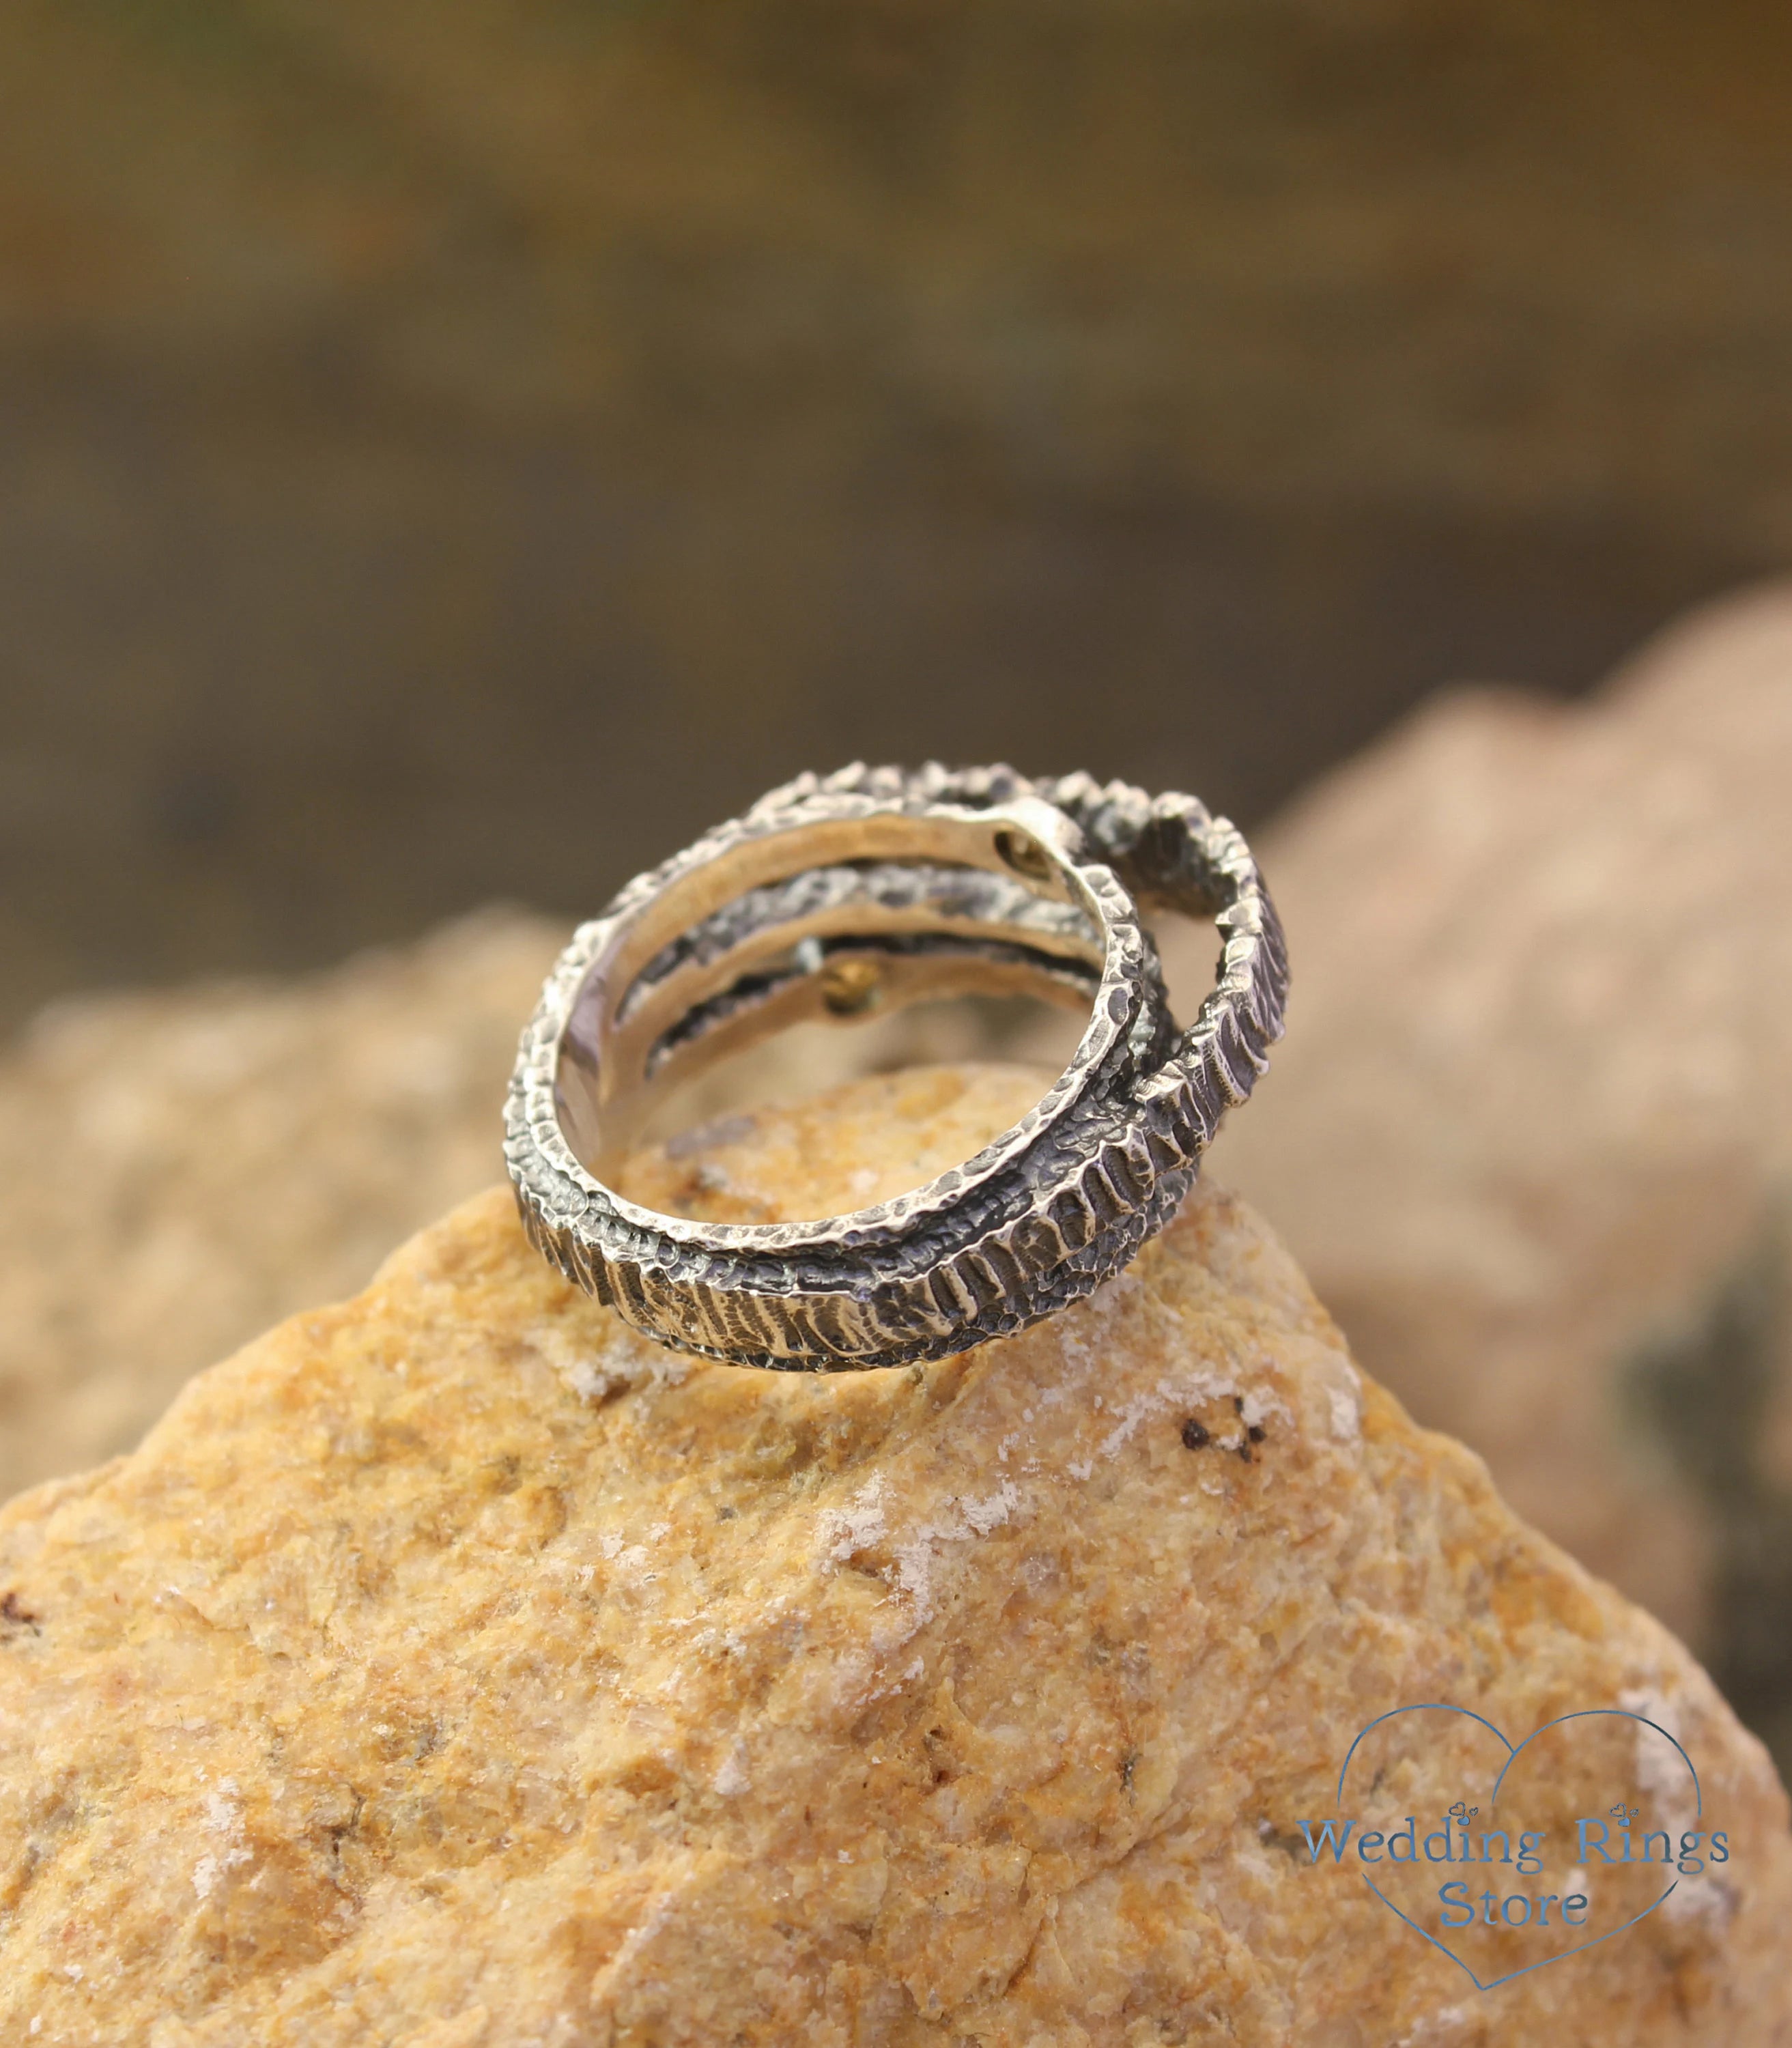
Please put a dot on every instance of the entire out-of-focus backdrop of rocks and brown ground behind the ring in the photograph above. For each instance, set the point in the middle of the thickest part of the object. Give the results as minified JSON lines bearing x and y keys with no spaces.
{"x":450,"y":456}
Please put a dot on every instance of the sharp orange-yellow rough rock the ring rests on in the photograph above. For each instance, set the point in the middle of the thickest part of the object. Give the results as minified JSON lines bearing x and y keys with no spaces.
{"x":456,"y":1670}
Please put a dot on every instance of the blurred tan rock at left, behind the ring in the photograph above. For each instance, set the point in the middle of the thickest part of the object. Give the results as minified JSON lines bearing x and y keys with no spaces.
{"x":183,"y":1168}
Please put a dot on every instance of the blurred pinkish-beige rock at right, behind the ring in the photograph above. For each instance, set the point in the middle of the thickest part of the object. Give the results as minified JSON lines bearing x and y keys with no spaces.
{"x":1531,"y":1132}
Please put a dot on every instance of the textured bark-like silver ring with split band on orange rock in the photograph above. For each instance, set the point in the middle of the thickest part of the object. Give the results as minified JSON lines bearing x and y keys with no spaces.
{"x":880,"y":882}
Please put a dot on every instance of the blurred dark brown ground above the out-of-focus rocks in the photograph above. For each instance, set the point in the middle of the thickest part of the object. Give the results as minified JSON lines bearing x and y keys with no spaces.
{"x":458,"y":452}
